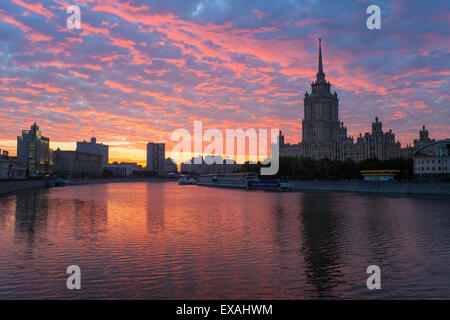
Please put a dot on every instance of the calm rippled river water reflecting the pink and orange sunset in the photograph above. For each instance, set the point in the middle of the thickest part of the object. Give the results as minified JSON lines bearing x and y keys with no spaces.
{"x":164,"y":241}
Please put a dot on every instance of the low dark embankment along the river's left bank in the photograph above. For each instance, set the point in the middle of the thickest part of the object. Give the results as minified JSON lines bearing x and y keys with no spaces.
{"x":18,"y":185}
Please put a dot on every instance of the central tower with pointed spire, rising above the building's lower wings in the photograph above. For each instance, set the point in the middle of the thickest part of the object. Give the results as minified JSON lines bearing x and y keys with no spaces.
{"x":321,"y":123}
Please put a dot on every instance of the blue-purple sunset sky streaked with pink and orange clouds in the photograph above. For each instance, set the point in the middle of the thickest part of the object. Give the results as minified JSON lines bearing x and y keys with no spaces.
{"x":138,"y":70}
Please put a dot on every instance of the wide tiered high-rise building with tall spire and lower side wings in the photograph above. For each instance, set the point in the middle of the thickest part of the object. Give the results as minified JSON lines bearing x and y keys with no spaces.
{"x":325,"y":136}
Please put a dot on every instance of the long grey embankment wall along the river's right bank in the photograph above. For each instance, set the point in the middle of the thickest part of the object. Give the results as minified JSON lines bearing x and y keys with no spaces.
{"x":374,"y":187}
